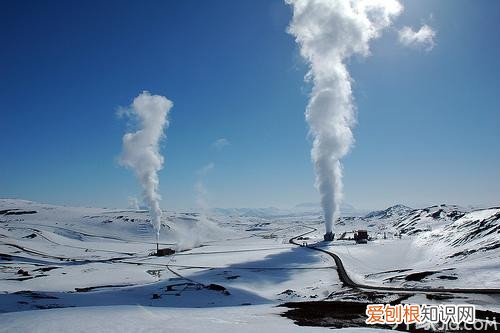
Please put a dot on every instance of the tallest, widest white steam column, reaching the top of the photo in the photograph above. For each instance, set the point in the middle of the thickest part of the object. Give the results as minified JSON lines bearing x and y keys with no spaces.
{"x":328,"y":33}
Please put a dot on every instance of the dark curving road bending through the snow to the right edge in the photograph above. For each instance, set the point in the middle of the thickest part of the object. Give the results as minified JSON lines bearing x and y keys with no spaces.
{"x":344,"y":277}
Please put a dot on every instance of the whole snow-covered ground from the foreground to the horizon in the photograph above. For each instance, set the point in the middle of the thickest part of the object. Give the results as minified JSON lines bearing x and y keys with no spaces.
{"x":90,"y":269}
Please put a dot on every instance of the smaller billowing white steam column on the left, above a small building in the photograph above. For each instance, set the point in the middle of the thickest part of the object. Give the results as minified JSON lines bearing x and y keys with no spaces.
{"x":141,"y":151}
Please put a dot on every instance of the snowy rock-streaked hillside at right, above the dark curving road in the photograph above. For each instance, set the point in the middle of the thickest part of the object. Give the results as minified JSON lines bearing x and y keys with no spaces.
{"x":442,"y":242}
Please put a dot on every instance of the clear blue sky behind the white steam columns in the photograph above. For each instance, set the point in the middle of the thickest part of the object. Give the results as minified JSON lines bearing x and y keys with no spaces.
{"x":428,"y":122}
